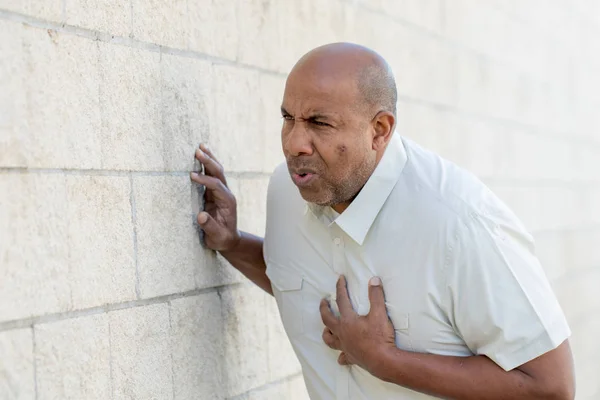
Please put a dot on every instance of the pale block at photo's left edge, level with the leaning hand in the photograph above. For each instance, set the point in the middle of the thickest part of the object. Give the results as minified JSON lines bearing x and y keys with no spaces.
{"x":34,"y":277}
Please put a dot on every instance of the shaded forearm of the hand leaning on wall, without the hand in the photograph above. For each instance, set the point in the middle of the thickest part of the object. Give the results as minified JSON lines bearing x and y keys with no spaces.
{"x":247,"y":257}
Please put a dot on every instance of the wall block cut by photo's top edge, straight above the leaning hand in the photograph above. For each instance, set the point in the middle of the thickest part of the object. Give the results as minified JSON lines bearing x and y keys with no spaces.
{"x":213,"y":27}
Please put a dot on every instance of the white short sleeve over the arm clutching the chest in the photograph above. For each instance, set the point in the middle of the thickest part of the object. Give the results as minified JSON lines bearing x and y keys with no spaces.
{"x":502,"y":304}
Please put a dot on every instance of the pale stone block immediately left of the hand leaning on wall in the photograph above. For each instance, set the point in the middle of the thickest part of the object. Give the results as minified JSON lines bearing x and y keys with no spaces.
{"x":170,"y":256}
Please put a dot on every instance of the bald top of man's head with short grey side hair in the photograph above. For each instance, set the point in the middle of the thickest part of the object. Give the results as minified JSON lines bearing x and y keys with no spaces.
{"x":366,"y":70}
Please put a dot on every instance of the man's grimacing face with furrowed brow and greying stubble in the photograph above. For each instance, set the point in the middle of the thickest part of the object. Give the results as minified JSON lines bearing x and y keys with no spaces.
{"x":326,"y":137}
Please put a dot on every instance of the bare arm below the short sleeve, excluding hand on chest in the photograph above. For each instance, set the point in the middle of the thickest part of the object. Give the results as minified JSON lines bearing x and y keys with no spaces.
{"x":546,"y":377}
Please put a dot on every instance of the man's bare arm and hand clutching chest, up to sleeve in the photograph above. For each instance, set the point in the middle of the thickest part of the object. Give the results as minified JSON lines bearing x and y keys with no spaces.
{"x":368,"y":341}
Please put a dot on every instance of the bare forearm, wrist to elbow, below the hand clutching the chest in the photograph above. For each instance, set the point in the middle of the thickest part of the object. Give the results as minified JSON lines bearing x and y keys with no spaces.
{"x":475,"y":377}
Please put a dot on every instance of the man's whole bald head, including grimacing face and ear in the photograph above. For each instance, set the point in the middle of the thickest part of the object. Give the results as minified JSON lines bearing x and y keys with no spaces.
{"x":338,"y":114}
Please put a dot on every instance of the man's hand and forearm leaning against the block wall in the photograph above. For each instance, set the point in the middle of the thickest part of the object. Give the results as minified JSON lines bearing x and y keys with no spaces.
{"x":219,"y":222}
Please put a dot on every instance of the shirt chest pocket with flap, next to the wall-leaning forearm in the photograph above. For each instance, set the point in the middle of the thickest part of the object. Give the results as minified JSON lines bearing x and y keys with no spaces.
{"x":287,"y":287}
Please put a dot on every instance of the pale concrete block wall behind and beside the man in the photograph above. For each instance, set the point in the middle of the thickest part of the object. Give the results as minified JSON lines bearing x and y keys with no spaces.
{"x":105,"y":291}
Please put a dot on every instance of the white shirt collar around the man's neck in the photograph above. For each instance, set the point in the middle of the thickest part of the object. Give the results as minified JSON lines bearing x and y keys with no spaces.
{"x":357,"y":219}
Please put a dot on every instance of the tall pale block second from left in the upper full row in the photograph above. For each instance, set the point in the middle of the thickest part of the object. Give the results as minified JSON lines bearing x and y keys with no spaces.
{"x":61,"y":85}
